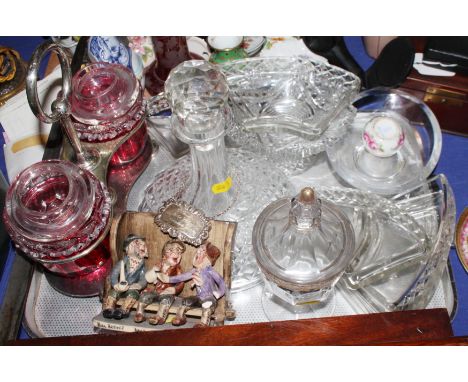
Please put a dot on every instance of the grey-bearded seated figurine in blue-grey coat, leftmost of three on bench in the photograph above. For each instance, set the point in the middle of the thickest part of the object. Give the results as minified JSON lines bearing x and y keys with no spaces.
{"x":127,"y":278}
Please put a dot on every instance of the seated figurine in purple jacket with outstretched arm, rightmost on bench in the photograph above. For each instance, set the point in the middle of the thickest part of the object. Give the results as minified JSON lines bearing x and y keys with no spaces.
{"x":209,"y":285}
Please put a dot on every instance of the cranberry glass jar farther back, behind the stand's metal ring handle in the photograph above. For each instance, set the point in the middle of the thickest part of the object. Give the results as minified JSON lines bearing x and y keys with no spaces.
{"x":106,"y":104}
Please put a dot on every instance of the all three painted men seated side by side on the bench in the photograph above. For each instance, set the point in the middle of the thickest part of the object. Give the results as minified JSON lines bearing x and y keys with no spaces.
{"x":133,"y":283}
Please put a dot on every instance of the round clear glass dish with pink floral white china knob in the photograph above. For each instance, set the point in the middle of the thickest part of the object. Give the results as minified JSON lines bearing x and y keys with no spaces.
{"x":392,"y":145}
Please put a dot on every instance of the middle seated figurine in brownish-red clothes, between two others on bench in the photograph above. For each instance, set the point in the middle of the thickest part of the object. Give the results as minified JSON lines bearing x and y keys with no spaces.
{"x":158,"y":291}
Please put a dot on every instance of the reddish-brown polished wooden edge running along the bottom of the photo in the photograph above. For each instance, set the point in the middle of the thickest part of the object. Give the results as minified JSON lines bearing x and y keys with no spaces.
{"x":409,"y":327}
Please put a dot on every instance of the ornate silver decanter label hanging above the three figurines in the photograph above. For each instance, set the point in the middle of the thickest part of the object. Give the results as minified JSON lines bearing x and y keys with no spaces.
{"x":183,"y":221}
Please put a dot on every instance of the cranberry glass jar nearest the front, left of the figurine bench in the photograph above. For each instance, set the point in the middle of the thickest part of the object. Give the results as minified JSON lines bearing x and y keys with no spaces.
{"x":59,"y":215}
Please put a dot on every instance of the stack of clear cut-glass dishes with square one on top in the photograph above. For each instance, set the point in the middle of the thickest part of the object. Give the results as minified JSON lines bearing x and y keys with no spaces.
{"x":288,"y":108}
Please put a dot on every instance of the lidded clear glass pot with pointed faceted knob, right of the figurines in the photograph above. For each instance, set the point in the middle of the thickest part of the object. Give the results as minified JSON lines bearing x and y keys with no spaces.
{"x":303,"y":246}
